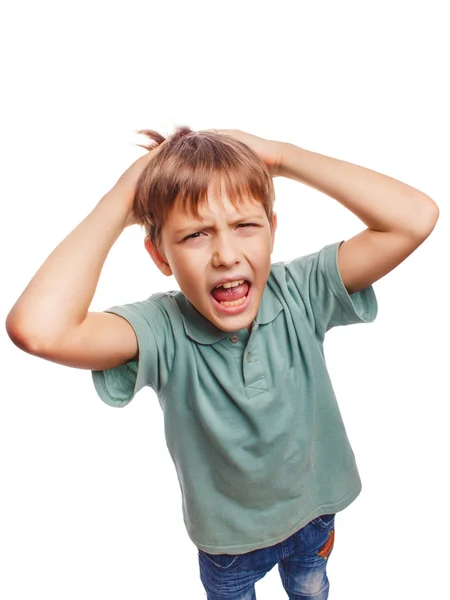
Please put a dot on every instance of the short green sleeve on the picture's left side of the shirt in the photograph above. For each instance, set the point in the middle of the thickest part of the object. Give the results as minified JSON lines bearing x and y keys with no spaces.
{"x":153,"y":329}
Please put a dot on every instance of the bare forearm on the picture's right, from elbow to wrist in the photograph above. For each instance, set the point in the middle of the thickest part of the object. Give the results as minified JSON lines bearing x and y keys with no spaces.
{"x":381,"y":202}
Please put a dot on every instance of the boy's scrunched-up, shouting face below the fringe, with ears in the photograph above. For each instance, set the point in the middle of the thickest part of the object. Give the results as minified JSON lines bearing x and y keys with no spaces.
{"x":224,"y":243}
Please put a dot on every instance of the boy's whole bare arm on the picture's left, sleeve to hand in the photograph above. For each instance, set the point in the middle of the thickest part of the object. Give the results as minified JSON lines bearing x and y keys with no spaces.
{"x":51,"y":319}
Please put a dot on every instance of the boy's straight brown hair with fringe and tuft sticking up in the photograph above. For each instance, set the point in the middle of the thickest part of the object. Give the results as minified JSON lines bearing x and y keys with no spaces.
{"x":182,"y":171}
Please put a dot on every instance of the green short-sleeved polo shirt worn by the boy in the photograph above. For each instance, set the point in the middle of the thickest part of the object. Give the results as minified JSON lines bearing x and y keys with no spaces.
{"x":251,"y":419}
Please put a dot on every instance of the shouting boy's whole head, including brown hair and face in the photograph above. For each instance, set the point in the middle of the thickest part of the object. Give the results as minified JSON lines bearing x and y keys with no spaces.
{"x":206,"y":202}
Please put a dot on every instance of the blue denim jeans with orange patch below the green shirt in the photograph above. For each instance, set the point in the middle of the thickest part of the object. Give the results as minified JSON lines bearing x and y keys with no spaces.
{"x":302,"y":560}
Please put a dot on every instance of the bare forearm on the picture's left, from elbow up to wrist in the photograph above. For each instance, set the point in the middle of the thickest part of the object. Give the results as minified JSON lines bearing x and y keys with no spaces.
{"x":58,"y":297}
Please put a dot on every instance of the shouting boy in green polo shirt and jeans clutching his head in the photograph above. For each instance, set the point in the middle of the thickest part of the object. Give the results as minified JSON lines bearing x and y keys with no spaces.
{"x":236,"y":356}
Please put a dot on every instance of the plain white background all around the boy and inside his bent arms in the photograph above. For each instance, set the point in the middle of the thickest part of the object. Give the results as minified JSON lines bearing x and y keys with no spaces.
{"x":90,"y":503}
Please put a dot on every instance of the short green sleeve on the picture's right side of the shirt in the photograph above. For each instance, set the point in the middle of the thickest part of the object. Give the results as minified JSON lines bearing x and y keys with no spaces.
{"x":315,"y":281}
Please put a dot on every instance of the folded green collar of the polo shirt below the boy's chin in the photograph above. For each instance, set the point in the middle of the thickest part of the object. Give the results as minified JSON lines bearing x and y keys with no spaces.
{"x":201,"y":330}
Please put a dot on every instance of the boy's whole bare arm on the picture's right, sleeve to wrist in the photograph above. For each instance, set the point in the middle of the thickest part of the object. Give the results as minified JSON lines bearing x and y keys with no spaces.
{"x":399,"y":217}
